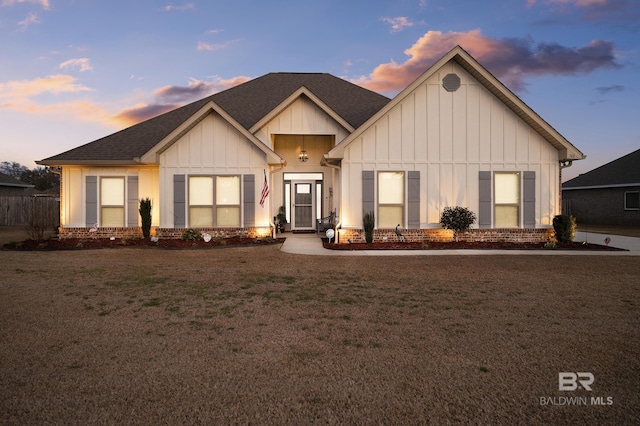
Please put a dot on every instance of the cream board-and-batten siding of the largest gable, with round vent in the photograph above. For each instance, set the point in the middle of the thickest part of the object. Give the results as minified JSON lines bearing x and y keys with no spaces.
{"x":449,"y":137}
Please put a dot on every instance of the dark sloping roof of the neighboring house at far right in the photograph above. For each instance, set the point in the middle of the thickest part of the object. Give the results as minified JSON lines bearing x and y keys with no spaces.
{"x":625,"y":171}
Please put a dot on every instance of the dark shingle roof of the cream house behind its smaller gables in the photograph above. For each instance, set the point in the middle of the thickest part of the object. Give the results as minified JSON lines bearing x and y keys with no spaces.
{"x":245,"y":104}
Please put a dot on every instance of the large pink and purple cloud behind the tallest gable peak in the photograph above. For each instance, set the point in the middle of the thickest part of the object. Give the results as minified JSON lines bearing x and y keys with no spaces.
{"x":511,"y":60}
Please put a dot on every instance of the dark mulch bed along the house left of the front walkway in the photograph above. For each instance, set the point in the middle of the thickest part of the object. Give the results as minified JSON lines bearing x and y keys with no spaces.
{"x":98,"y":243}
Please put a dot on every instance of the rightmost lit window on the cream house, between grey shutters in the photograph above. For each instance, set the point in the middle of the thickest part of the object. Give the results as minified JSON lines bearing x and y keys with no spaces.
{"x":507,"y":200}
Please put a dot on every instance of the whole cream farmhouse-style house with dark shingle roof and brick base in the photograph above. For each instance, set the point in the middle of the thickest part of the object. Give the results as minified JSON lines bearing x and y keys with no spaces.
{"x":456,"y":136}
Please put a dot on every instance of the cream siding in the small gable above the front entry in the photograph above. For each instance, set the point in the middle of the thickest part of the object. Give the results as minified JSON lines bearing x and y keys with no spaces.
{"x":301,"y":117}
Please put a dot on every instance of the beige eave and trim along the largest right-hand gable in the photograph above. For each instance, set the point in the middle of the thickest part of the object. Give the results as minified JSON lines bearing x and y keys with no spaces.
{"x":567,"y":151}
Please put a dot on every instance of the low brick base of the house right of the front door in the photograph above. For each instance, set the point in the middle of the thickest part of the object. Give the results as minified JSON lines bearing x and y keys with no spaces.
{"x":426,"y":235}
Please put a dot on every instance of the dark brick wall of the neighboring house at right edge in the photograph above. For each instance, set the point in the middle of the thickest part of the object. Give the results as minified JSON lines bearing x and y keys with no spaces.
{"x":600,"y":206}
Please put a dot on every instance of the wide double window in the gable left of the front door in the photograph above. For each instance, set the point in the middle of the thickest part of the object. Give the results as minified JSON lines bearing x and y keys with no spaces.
{"x":204,"y":190}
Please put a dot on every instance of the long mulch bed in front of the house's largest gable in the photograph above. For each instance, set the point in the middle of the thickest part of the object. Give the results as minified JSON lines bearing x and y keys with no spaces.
{"x":465,"y":245}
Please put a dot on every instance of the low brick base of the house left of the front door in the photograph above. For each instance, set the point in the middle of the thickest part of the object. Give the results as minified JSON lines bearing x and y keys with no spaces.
{"x":167,"y":233}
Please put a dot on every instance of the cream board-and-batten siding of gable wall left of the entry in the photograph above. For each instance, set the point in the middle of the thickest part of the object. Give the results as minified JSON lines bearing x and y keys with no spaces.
{"x":212,"y":147}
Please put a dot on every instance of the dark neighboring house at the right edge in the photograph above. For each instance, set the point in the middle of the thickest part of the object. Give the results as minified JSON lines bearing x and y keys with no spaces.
{"x":607,"y":195}
